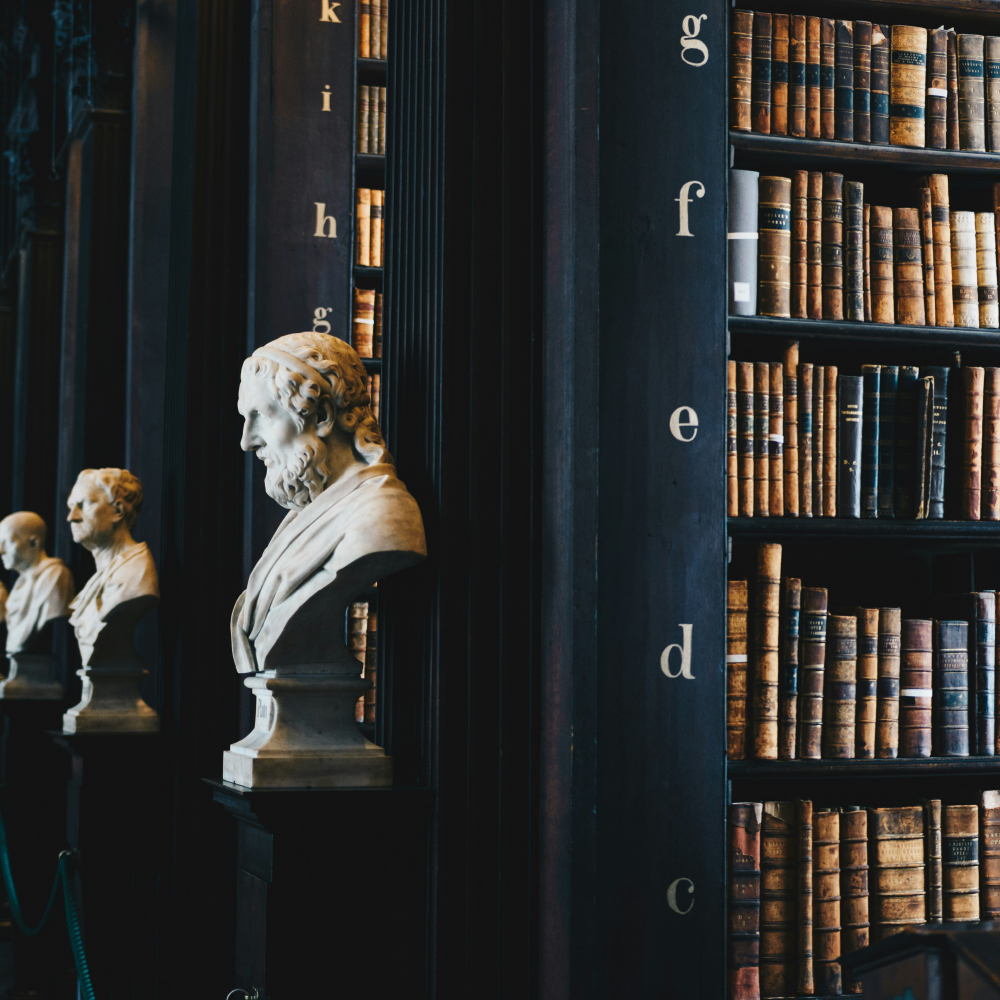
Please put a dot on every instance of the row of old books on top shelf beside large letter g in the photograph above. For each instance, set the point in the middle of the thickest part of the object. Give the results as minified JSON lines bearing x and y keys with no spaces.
{"x":855,"y":81}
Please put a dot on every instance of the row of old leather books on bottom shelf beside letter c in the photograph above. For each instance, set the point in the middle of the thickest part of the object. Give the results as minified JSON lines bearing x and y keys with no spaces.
{"x":810,"y":884}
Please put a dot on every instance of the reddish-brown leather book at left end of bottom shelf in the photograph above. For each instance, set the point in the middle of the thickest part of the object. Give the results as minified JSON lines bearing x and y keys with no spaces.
{"x":743,"y":974}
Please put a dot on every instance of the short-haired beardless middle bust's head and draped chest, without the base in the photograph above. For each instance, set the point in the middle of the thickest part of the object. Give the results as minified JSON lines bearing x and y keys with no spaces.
{"x":103,"y":507}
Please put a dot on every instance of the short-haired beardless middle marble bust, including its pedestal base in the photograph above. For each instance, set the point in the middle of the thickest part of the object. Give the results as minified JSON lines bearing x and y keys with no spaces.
{"x":103,"y":507}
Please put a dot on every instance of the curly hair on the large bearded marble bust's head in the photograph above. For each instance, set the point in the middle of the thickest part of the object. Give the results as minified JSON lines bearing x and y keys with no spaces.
{"x":337,"y":361}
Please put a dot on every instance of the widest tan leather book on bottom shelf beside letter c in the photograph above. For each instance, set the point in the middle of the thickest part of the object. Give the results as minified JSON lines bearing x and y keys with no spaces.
{"x":895,"y":870}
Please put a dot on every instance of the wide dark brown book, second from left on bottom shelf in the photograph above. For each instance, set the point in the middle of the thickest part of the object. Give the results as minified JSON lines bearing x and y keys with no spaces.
{"x":778,"y":903}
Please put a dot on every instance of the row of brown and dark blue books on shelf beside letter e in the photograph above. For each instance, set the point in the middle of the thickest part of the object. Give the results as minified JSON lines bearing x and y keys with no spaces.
{"x":805,"y":441}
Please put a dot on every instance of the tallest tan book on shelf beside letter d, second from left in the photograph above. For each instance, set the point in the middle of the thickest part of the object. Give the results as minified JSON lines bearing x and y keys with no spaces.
{"x":766,"y":650}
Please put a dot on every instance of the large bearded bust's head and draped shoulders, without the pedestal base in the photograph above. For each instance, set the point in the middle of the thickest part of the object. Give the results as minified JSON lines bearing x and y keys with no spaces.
{"x":307,"y":417}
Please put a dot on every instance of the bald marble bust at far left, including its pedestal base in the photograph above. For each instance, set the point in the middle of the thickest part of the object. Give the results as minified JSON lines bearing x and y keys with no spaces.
{"x":41,"y":595}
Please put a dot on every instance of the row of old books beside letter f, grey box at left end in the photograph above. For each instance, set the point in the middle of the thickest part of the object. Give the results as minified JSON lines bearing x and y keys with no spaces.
{"x":809,"y":246}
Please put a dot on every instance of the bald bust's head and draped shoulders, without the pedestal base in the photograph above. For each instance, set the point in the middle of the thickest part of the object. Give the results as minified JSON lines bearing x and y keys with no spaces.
{"x":44,"y":585}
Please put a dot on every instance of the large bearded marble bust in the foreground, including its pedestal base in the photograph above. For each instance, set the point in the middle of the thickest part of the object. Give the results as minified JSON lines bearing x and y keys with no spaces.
{"x":351,"y":522}
